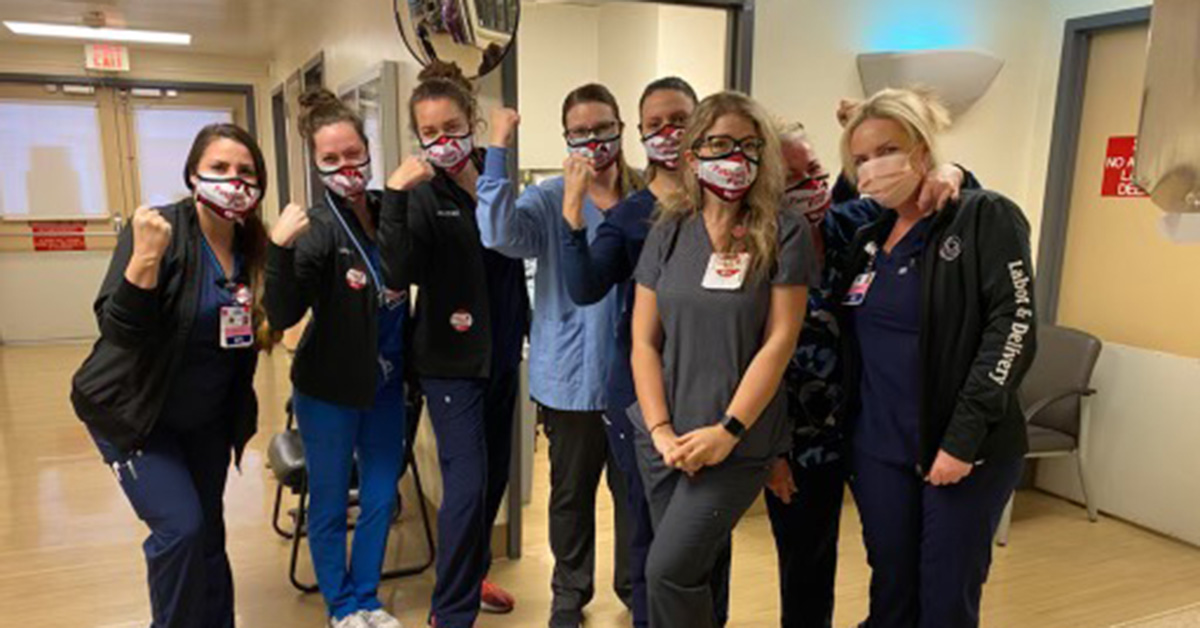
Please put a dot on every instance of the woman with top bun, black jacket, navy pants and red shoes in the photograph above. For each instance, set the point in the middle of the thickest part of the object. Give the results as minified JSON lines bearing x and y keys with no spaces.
{"x":472,"y":314}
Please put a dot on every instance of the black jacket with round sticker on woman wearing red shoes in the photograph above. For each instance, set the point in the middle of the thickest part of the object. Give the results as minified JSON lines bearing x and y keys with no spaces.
{"x":429,"y":237}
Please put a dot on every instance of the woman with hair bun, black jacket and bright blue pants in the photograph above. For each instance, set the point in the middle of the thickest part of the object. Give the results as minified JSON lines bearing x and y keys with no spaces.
{"x":349,"y":369}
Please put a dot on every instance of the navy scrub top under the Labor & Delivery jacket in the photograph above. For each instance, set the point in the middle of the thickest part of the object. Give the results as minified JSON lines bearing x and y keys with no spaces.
{"x":889,"y":328}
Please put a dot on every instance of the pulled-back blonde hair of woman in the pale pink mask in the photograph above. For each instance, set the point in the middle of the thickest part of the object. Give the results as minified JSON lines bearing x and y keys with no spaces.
{"x":919,"y":112}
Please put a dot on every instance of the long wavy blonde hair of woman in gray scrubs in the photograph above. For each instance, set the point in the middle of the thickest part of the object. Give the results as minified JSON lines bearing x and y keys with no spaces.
{"x":760,"y":207}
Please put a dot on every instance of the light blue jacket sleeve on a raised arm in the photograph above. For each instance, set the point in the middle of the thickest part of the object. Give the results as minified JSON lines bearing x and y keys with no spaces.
{"x":514,"y":229}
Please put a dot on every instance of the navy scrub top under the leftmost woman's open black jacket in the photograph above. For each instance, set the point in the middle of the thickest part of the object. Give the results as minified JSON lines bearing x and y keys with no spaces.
{"x":201,"y":391}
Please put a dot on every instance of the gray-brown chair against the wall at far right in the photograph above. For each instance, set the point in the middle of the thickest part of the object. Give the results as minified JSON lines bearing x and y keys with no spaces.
{"x":1054,"y":398}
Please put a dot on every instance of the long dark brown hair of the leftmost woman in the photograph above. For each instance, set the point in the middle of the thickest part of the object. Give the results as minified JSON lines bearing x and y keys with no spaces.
{"x":253,"y":242}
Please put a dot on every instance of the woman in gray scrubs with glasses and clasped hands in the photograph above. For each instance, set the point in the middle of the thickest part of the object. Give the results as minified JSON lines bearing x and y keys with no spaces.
{"x":722,"y":289}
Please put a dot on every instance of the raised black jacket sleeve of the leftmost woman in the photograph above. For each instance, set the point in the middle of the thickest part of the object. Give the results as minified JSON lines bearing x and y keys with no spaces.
{"x":129,"y":316}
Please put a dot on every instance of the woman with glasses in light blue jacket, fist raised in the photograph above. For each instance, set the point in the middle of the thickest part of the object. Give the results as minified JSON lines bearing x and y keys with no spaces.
{"x":571,"y":345}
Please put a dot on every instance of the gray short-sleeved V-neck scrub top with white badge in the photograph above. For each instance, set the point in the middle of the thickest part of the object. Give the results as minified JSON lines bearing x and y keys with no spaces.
{"x":710,"y":336}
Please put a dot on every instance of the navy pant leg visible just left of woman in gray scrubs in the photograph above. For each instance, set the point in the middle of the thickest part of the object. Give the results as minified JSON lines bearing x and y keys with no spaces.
{"x":623,"y":452}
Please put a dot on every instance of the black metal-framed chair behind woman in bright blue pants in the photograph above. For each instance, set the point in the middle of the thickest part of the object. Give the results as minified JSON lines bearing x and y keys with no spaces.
{"x":287,"y":462}
